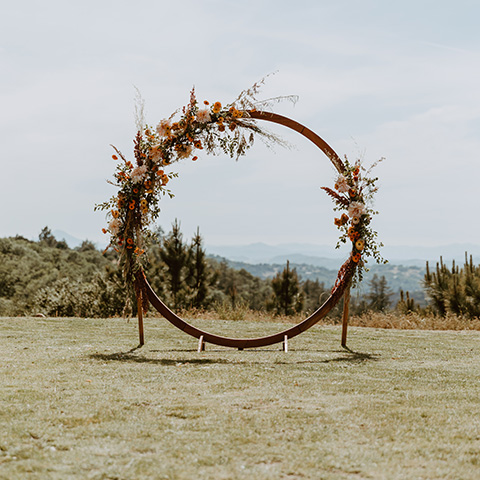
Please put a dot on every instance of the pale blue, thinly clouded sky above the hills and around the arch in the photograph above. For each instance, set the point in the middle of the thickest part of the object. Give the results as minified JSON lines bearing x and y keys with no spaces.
{"x":375,"y":79}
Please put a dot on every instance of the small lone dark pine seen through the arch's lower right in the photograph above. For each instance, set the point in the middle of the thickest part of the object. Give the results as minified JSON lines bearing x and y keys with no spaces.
{"x":288,"y":298}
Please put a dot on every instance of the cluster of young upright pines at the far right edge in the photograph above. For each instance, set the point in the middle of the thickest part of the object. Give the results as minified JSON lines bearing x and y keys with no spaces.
{"x":455,"y":290}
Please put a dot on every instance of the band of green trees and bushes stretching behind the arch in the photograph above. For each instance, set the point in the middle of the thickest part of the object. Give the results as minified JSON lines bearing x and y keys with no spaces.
{"x":48,"y":277}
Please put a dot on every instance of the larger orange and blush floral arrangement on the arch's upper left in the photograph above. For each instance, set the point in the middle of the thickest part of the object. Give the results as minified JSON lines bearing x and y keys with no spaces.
{"x":210,"y":127}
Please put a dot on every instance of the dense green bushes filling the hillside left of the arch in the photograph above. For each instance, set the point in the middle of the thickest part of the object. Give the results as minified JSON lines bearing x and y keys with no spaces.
{"x":47,"y":277}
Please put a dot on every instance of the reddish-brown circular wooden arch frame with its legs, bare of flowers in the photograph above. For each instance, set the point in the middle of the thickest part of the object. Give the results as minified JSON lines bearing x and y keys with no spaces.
{"x":348,"y":269}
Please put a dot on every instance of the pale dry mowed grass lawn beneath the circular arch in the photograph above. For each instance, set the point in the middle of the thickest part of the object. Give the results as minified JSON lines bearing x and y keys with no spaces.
{"x":79,"y":401}
